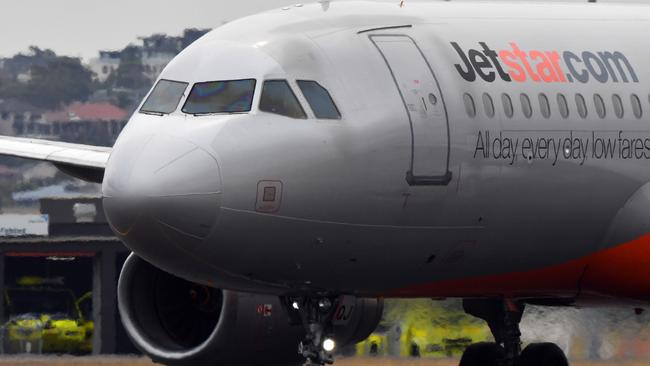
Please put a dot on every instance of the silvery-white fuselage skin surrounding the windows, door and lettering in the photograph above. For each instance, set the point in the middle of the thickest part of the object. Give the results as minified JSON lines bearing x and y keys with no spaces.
{"x":348,"y":220}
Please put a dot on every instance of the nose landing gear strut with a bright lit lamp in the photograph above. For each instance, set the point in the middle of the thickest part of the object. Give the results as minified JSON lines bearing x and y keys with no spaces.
{"x":316,"y":315}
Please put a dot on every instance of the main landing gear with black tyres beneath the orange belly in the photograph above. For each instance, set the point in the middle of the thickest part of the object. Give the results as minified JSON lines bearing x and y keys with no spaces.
{"x":503,"y":317}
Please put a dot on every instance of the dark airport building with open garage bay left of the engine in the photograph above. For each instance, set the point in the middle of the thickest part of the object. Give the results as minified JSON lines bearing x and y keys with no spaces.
{"x":59,"y":280}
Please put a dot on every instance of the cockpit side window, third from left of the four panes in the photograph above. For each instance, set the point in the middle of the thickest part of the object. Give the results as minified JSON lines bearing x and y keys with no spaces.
{"x":278,"y":98}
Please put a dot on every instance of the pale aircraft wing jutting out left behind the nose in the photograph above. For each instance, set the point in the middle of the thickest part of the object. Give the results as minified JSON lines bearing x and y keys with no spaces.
{"x":85,"y":162}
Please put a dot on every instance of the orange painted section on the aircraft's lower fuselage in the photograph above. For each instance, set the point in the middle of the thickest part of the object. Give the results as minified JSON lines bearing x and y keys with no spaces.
{"x":622,"y":271}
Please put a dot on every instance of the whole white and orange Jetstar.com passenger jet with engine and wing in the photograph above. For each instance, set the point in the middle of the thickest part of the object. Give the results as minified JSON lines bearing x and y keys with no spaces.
{"x":291,"y":170}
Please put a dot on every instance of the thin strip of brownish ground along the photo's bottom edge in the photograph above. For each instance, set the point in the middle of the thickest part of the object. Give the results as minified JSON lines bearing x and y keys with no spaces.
{"x":136,"y":361}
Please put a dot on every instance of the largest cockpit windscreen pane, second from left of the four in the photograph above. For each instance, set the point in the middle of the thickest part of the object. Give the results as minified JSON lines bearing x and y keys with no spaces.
{"x":234,"y":96}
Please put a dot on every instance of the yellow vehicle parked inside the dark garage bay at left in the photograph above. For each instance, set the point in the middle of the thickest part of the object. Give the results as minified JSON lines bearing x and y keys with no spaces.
{"x":48,"y":318}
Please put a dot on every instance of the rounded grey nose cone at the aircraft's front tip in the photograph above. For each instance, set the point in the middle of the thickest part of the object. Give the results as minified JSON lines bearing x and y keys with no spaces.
{"x":167,"y":188}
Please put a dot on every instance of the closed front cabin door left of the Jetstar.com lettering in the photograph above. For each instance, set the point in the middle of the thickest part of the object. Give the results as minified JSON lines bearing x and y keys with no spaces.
{"x":425,"y":109}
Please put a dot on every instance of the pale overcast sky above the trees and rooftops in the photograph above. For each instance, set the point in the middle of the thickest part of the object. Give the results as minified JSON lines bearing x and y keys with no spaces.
{"x":82,"y":27}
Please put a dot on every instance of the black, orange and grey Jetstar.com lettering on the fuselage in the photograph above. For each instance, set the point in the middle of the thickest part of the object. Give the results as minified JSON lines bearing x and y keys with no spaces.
{"x":517,"y":65}
